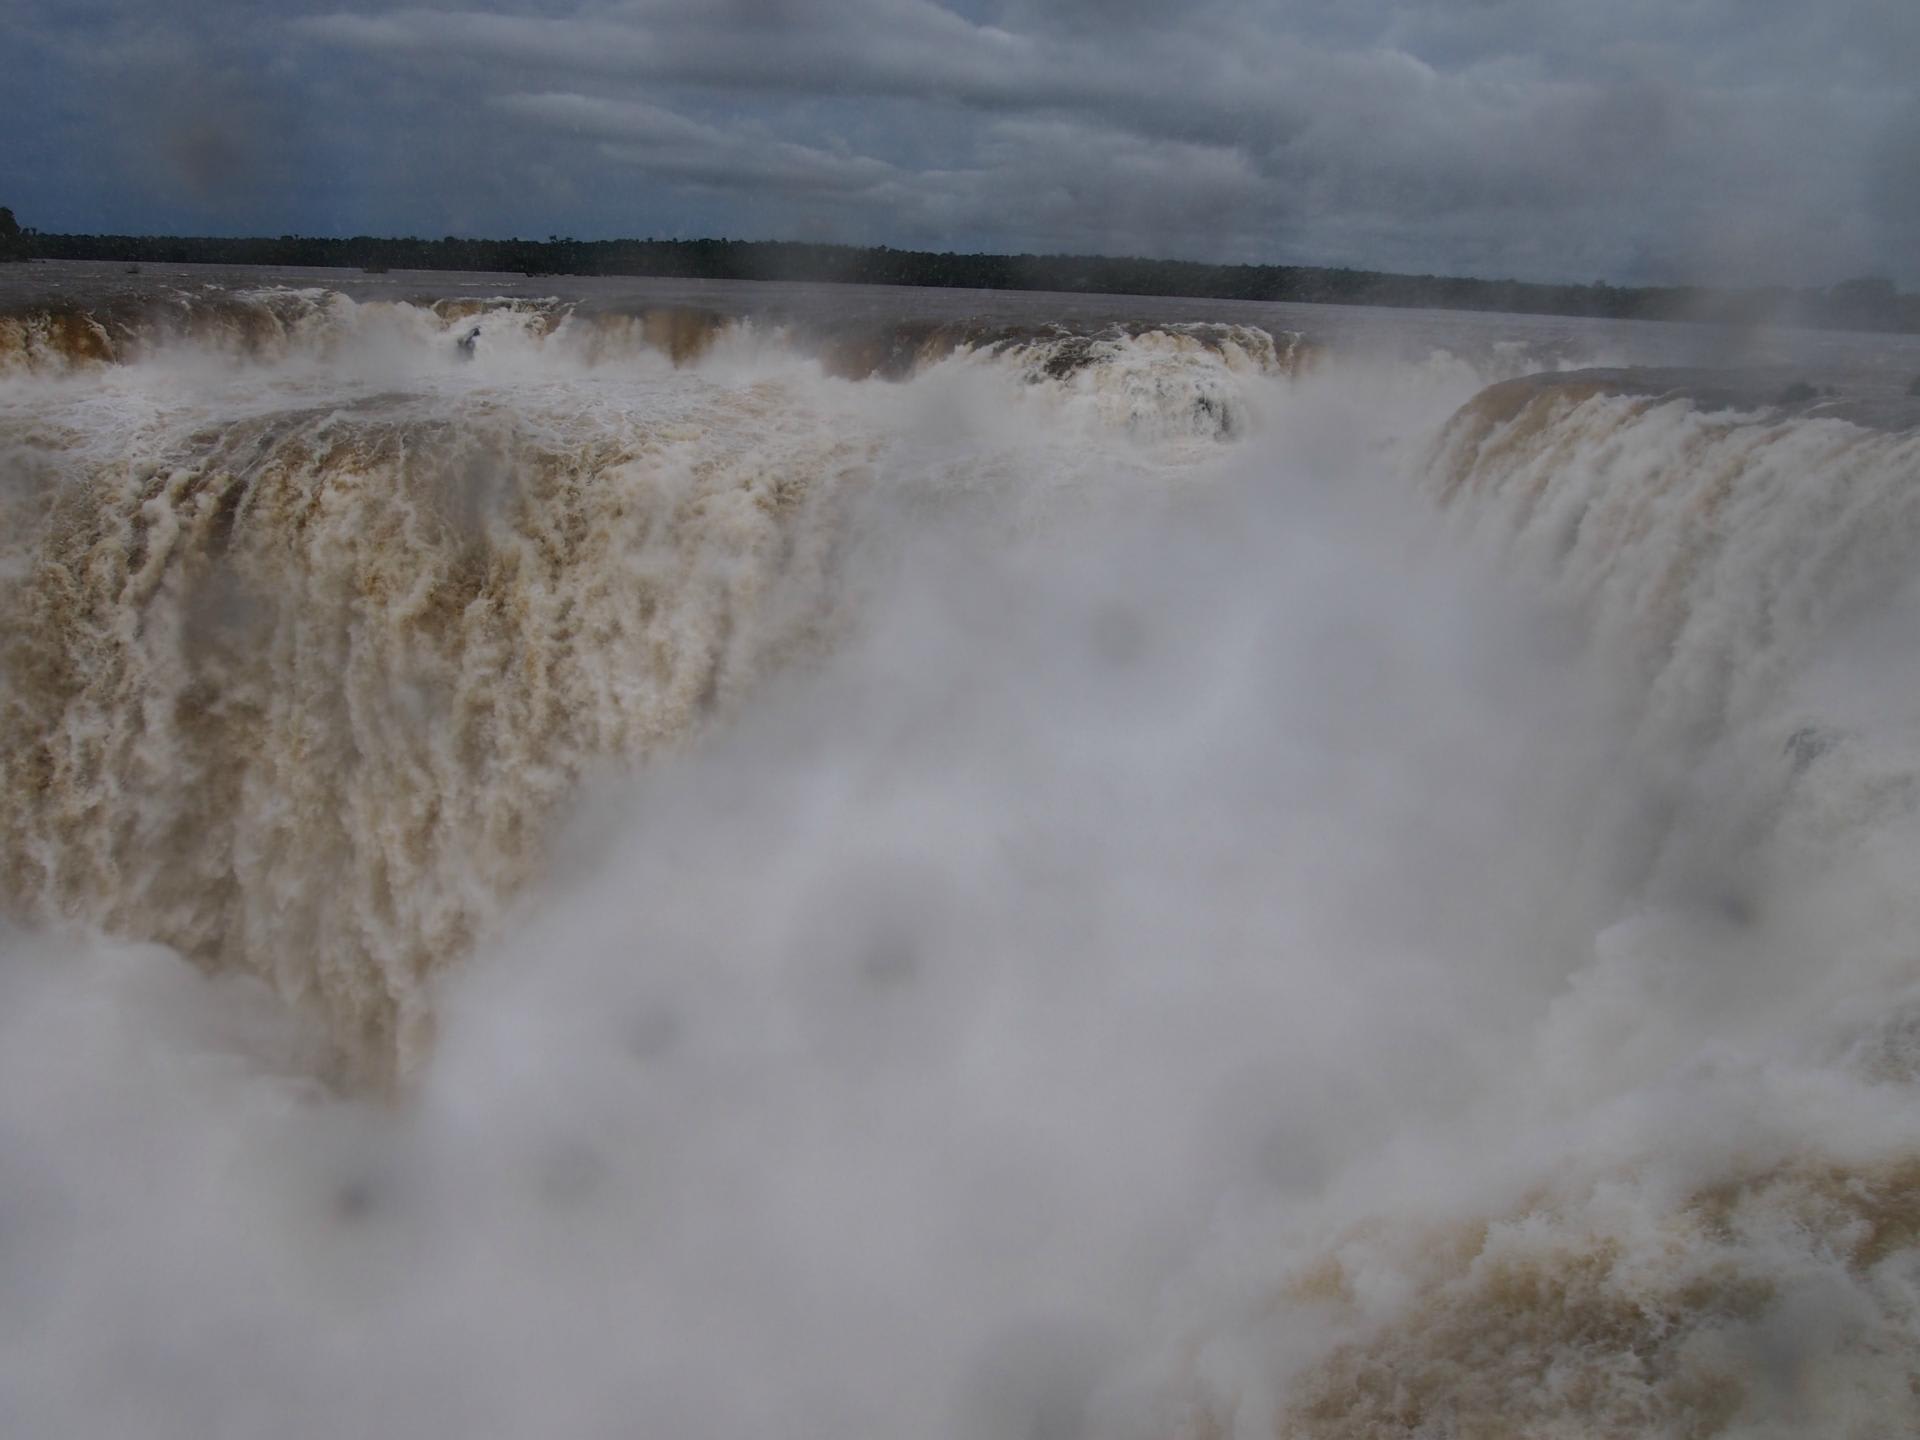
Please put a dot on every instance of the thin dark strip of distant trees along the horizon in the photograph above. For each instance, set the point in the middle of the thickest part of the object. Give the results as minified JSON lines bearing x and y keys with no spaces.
{"x":1871,"y":304}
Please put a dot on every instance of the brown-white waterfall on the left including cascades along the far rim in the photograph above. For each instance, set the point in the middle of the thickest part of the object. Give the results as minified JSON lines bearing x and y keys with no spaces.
{"x":297,"y":686}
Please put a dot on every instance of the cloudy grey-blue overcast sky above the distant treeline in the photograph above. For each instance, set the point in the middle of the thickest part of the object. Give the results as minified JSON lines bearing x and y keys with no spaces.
{"x":1547,"y":139}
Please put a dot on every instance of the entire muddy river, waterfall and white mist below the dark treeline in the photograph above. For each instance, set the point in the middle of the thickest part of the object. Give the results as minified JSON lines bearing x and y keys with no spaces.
{"x":702,"y":867}
